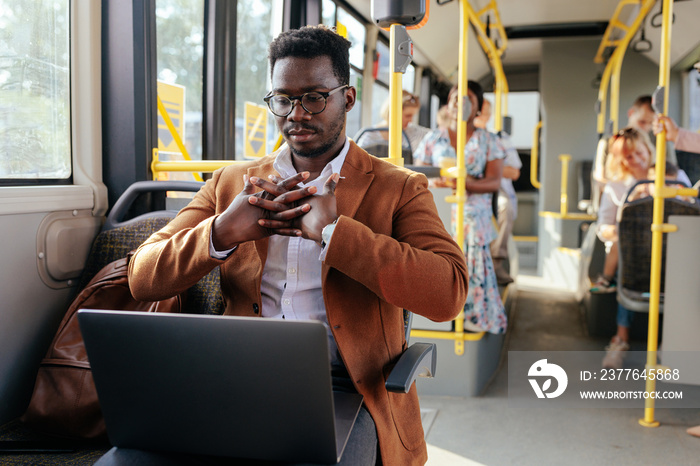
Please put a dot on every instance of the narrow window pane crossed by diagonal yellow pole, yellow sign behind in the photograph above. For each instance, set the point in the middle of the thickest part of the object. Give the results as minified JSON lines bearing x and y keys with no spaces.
{"x":180,"y":44}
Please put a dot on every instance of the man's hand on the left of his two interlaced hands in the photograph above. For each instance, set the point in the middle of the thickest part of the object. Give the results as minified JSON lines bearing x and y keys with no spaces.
{"x":253,"y":216}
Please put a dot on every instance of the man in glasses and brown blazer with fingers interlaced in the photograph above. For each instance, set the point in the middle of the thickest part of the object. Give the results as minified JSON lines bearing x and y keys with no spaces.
{"x":321,"y":230}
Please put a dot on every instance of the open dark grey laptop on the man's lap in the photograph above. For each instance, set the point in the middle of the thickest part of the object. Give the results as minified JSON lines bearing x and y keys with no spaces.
{"x":214,"y":385}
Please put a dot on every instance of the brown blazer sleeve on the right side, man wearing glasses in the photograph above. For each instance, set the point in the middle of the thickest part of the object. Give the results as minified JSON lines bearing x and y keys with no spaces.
{"x":413,"y":264}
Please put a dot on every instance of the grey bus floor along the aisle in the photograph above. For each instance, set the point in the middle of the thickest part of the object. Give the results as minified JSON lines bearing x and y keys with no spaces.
{"x":485,"y":430}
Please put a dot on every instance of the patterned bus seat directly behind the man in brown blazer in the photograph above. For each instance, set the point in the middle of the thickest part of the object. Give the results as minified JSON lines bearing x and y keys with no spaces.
{"x":119,"y":236}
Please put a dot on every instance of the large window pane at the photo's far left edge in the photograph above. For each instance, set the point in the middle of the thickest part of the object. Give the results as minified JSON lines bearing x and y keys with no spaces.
{"x":35,"y":140}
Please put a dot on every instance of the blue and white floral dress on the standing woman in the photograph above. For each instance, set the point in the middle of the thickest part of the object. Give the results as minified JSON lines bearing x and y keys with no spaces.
{"x":484,"y":307}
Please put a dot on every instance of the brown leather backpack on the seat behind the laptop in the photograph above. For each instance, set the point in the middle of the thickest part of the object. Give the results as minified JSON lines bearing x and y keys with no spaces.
{"x":64,"y":401}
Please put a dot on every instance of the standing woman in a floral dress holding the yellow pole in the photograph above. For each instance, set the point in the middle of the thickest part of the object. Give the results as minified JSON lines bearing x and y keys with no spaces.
{"x":483,"y":156}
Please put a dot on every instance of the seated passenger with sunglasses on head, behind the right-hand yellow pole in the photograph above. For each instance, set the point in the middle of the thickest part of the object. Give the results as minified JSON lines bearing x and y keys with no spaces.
{"x":630,"y":156}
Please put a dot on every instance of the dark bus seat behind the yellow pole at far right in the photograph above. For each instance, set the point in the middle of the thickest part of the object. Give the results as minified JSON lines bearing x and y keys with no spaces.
{"x":634,"y":232}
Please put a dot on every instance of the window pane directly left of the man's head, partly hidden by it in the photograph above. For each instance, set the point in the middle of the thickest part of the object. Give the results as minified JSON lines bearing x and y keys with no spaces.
{"x":259,"y":21}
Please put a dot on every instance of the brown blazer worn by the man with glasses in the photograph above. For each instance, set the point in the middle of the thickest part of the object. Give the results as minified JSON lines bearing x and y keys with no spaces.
{"x":389,"y":252}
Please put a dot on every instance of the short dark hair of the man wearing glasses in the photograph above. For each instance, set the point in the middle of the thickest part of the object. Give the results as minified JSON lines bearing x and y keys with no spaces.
{"x":313,"y":42}
